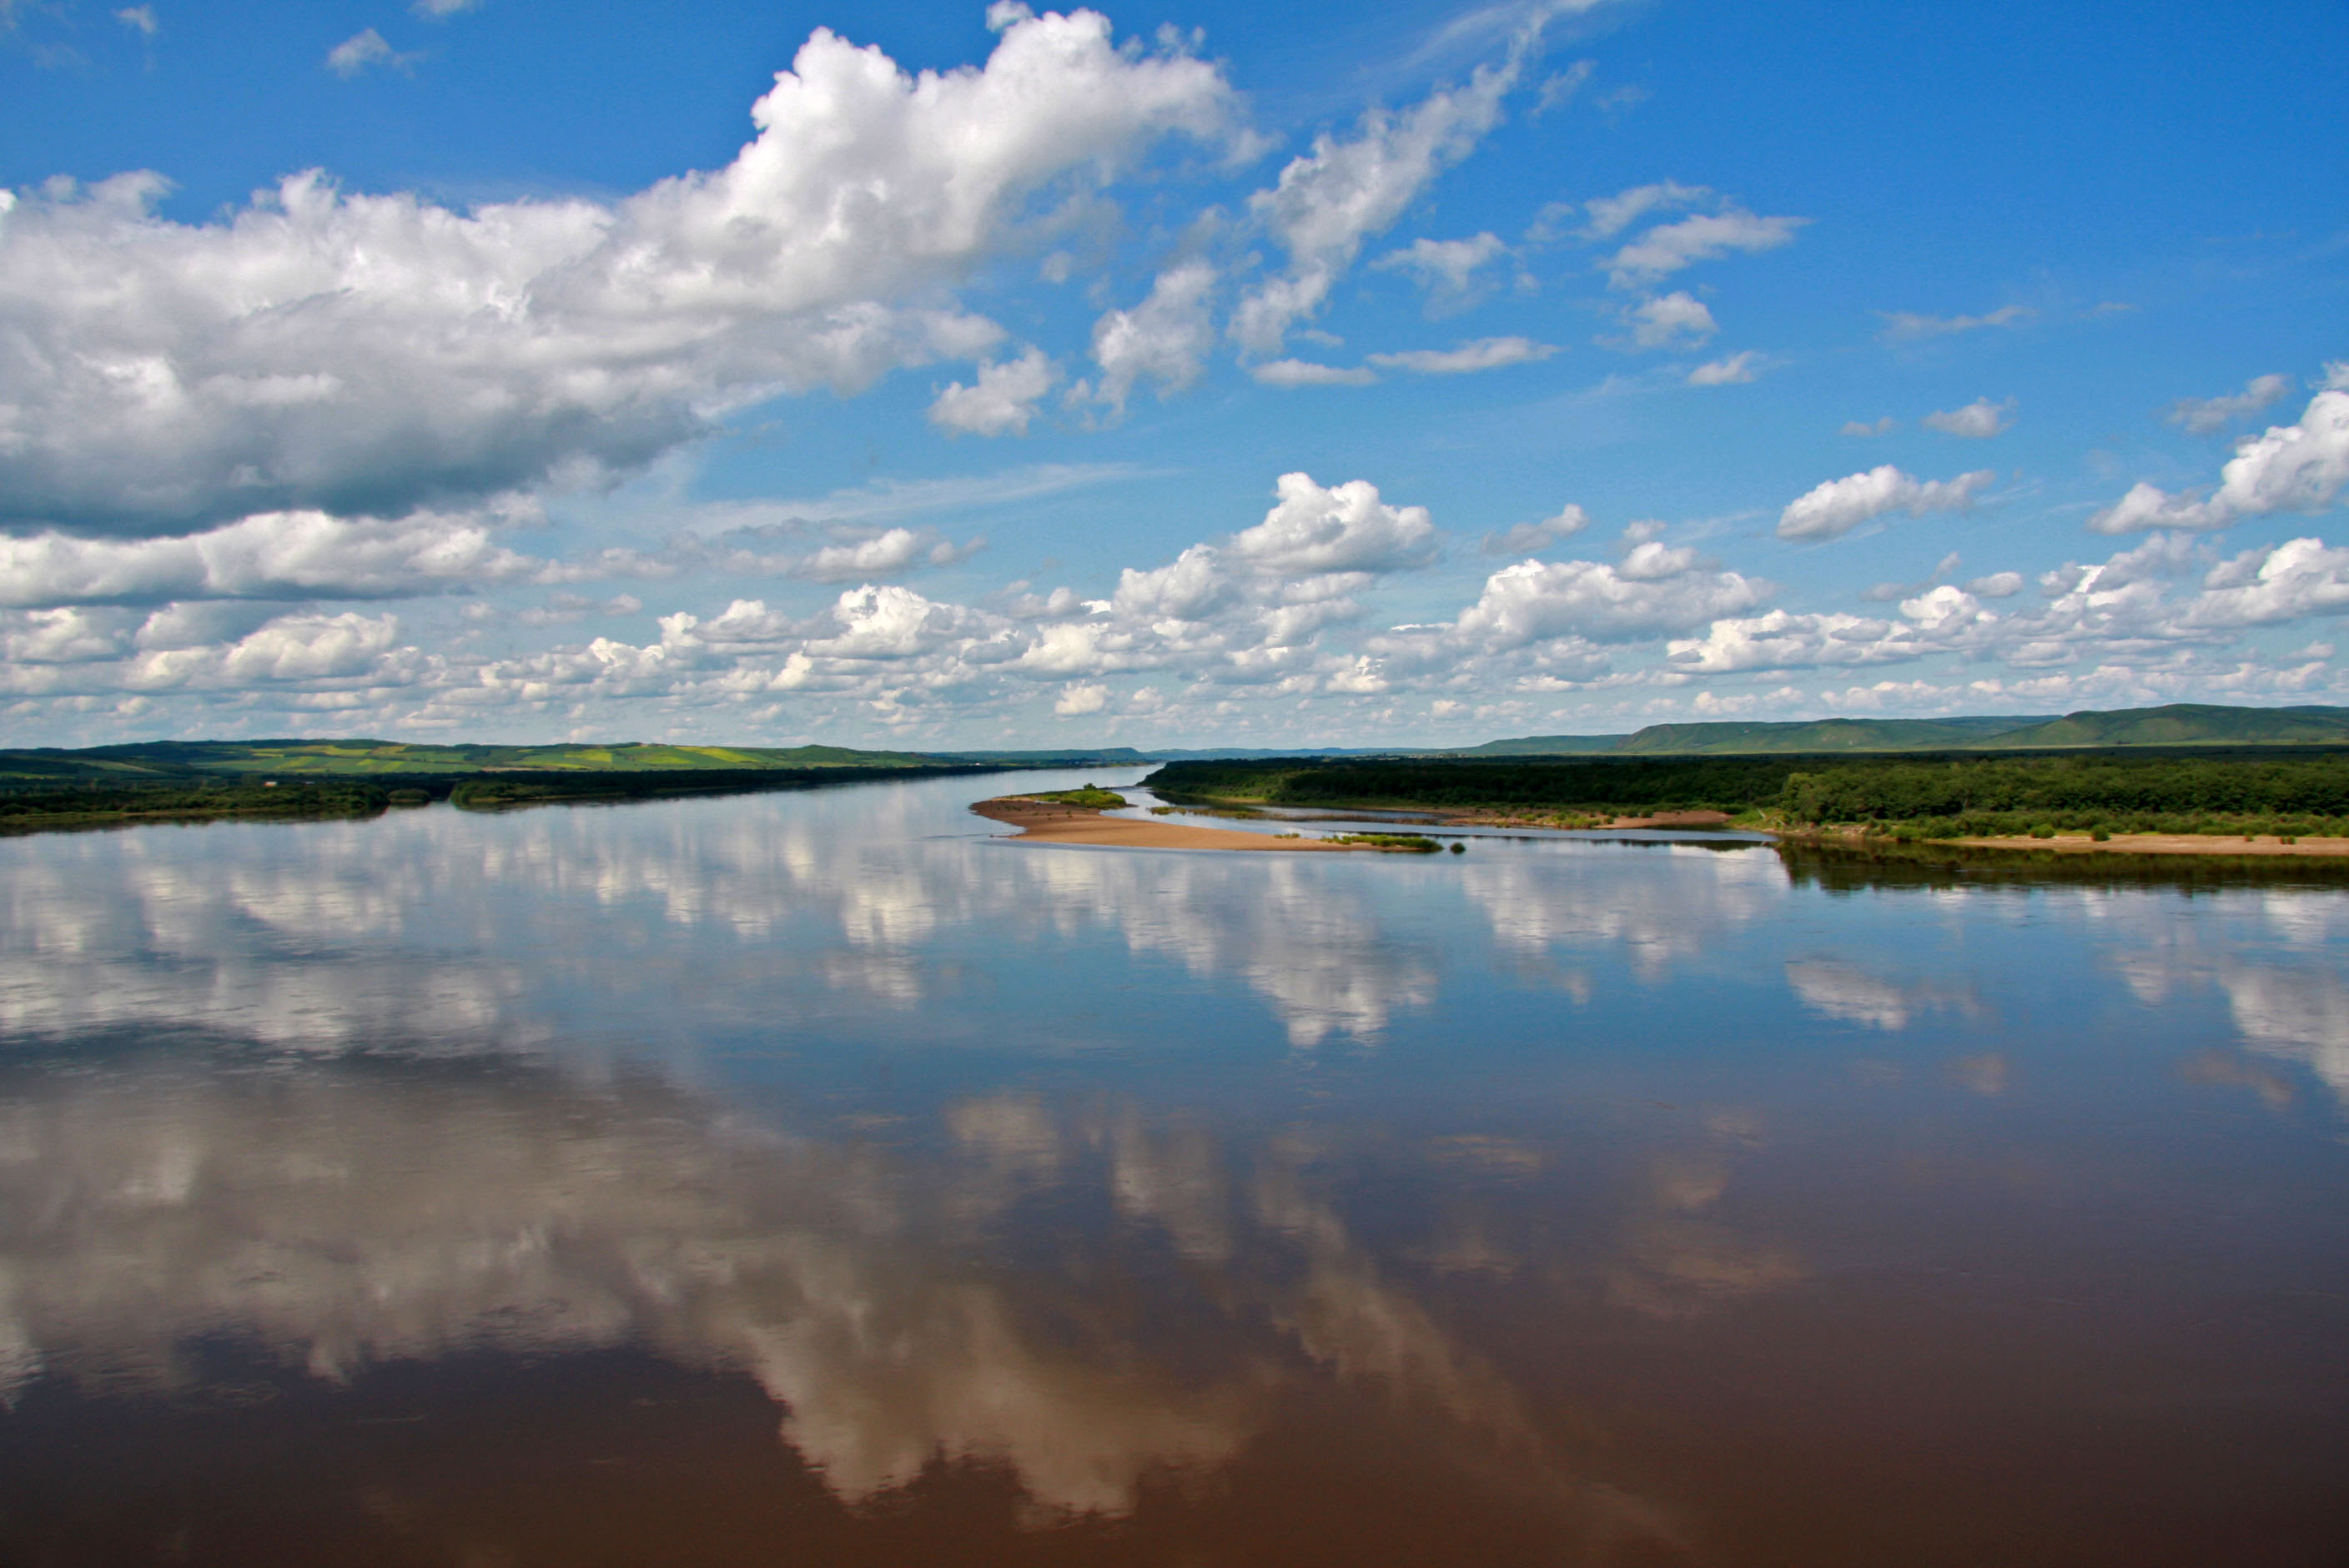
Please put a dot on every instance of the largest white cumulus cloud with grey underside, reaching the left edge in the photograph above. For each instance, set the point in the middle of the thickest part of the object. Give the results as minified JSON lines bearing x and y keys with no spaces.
{"x":372,"y":353}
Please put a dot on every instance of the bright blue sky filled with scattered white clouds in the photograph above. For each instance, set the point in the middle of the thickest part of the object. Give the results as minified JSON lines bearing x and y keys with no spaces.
{"x":1178,"y":377}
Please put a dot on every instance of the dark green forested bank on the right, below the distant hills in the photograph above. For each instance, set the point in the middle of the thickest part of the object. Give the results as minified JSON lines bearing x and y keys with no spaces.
{"x":1946,"y":797}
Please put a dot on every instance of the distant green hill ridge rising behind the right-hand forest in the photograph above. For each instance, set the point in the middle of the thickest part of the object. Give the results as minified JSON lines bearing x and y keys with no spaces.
{"x":2179,"y":724}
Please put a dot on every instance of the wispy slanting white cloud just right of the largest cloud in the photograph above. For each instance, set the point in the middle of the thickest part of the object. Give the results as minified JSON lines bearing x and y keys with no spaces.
{"x":1340,"y":194}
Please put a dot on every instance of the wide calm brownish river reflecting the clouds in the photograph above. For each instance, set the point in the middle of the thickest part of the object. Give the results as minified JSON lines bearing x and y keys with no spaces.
{"x":823,"y":1180}
